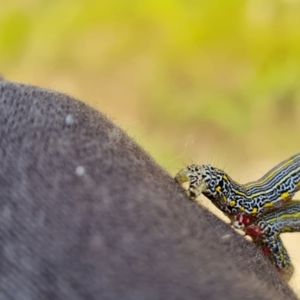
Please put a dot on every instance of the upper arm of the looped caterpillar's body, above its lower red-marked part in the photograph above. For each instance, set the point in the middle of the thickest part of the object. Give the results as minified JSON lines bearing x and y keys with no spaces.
{"x":244,"y":203}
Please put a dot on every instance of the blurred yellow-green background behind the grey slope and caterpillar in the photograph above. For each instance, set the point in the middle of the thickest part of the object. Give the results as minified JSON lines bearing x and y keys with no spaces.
{"x":192,"y":81}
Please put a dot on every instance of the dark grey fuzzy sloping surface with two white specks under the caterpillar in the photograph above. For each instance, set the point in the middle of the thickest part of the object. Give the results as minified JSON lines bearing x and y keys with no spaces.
{"x":85,"y":213}
